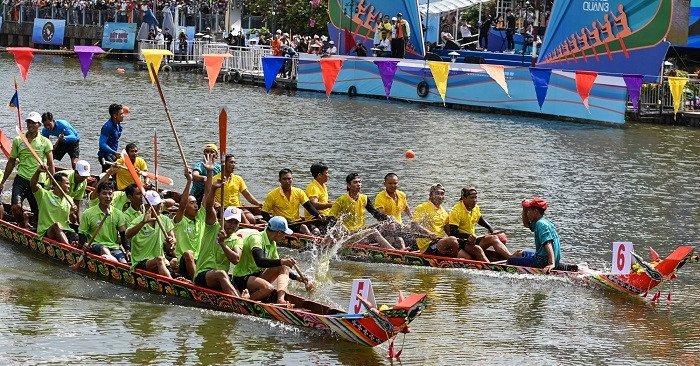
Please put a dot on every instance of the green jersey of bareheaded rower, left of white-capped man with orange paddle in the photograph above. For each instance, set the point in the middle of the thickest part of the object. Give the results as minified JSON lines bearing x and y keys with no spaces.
{"x":108,"y":234}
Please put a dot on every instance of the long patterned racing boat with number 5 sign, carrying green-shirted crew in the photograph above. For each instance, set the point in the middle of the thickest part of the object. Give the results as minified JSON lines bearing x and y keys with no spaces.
{"x":372,"y":328}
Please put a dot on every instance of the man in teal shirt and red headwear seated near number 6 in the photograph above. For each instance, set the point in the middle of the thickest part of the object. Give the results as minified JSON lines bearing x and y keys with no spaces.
{"x":547,"y":247}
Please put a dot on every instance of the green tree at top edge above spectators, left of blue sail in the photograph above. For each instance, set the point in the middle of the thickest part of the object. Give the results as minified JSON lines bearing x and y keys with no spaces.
{"x":294,"y":15}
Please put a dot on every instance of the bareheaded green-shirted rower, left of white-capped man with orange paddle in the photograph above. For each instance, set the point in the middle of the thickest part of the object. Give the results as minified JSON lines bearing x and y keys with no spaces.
{"x":111,"y":233}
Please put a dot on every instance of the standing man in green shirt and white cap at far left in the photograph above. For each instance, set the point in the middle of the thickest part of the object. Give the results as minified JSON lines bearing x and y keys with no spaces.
{"x":21,"y":189}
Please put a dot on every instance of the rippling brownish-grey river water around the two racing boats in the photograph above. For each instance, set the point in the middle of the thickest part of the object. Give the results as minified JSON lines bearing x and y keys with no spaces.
{"x":637,"y":183}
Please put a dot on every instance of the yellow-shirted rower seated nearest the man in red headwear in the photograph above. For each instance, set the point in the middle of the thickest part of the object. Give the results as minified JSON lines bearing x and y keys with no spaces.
{"x":463,"y":216}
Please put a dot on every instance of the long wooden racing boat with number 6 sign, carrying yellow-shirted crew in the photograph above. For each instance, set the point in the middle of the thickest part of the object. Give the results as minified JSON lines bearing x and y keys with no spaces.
{"x":638,"y":283}
